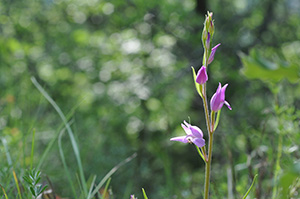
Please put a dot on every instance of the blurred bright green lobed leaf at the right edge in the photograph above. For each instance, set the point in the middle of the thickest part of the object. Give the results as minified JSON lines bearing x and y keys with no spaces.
{"x":255,"y":66}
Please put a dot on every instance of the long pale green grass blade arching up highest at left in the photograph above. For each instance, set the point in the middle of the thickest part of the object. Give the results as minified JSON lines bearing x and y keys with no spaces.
{"x":69,"y":130}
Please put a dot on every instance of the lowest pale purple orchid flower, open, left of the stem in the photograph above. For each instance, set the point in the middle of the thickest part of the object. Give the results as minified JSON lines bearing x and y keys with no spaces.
{"x":193,"y":134}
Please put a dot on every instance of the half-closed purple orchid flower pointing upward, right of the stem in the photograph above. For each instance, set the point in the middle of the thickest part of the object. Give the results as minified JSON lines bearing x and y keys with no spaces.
{"x":218,"y":99}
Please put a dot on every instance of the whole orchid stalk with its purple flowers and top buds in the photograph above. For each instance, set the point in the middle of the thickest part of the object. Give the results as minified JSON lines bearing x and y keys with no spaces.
{"x":194,"y":134}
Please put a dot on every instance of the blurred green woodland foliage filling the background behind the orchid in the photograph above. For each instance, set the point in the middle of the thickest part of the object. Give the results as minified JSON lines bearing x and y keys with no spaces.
{"x":121,"y":71}
